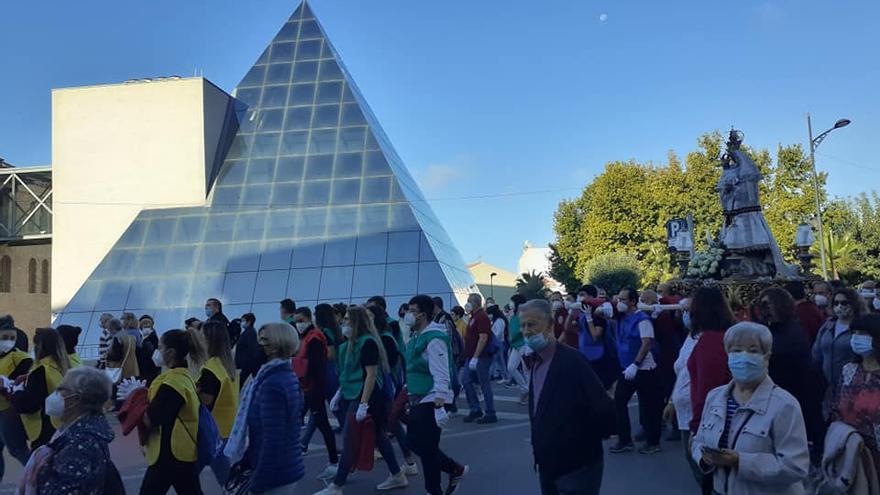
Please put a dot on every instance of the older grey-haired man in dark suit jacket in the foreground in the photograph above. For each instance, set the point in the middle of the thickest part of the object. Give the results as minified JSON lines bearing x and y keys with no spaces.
{"x":568,"y":407}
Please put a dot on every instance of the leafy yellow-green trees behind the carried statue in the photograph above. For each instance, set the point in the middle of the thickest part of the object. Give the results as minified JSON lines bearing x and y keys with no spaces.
{"x":624,"y":210}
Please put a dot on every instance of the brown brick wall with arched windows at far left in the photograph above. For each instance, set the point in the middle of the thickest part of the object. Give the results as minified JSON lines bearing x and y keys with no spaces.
{"x":30,"y":310}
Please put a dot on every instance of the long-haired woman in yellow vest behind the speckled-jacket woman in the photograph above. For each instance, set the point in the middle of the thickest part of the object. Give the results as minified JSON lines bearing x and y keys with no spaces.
{"x":44,"y":377}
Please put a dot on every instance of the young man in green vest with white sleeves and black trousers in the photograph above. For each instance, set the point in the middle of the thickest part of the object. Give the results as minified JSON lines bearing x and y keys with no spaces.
{"x":428,"y":376}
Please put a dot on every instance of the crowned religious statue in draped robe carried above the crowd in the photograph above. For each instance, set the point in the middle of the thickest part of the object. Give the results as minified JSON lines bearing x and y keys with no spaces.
{"x":751,"y":247}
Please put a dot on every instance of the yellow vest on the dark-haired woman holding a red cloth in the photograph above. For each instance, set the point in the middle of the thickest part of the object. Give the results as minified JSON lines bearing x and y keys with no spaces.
{"x":186,"y":425}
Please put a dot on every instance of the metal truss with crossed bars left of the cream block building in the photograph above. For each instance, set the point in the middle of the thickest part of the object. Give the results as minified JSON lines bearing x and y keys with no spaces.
{"x":25,"y":203}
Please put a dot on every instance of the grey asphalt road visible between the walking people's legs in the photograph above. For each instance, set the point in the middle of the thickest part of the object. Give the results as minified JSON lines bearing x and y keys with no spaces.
{"x":499,"y":456}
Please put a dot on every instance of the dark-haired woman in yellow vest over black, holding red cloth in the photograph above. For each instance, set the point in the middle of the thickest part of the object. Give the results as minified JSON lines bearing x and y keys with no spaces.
{"x":172,"y":420}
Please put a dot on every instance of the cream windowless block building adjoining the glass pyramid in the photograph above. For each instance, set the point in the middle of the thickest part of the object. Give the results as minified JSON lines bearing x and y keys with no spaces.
{"x":119,"y":149}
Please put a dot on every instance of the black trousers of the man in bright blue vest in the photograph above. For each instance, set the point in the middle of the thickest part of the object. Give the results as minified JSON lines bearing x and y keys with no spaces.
{"x":647,"y":384}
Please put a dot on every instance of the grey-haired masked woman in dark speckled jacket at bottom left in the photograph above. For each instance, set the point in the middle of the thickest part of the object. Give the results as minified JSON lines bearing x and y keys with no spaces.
{"x":79,"y":457}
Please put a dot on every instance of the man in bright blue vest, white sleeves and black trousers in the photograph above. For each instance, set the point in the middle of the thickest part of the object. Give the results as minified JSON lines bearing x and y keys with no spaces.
{"x":637,"y":352}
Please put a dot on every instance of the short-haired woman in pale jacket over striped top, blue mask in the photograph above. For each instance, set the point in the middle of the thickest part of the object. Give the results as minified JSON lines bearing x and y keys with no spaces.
{"x":752,"y":437}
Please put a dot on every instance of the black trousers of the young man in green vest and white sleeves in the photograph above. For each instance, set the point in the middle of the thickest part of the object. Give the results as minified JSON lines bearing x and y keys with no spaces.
{"x":423,"y":436}
